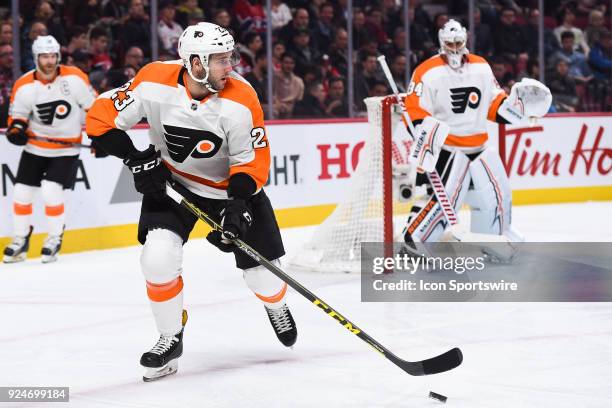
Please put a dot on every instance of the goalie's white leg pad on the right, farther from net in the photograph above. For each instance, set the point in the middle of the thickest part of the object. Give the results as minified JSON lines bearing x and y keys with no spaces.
{"x":491,"y":197}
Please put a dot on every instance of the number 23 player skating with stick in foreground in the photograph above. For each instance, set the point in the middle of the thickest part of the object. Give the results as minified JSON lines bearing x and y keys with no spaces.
{"x":209,"y":140}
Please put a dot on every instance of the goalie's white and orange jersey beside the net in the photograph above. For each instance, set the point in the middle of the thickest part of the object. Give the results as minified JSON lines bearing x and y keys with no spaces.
{"x":464,"y":98}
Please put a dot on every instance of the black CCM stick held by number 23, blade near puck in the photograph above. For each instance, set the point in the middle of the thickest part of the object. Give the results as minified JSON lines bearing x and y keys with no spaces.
{"x":438,"y":364}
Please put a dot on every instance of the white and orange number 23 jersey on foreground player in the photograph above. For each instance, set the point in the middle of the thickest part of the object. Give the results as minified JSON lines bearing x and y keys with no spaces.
{"x":203,"y":142}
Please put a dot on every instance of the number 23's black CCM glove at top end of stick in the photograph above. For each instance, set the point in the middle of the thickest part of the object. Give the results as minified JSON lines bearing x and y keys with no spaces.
{"x":150,"y":174}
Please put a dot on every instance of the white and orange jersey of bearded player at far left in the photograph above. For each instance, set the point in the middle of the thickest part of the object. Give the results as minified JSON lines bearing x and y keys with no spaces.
{"x":52,"y":109}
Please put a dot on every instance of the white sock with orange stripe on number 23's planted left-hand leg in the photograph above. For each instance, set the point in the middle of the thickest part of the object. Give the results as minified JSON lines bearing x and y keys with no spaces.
{"x":161,"y":263}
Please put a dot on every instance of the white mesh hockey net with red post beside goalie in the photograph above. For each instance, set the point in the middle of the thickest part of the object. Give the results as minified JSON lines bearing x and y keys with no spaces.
{"x":372,"y":210}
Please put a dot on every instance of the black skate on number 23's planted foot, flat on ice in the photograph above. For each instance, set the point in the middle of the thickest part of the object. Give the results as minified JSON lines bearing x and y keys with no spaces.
{"x":162,"y":359}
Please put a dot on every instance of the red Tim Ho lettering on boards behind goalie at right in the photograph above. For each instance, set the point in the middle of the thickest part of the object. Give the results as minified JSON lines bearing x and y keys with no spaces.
{"x":521,"y":159}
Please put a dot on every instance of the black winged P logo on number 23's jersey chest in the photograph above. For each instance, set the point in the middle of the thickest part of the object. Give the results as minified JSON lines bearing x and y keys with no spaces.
{"x":185,"y":142}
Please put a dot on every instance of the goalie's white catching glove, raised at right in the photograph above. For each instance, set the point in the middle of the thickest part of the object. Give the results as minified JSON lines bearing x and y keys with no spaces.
{"x":528,"y":99}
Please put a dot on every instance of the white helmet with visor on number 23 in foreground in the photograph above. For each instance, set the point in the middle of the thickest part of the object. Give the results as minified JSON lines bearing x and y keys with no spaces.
{"x":202,"y":40}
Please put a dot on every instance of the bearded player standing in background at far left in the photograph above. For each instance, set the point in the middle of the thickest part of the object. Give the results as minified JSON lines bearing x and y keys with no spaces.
{"x":47,"y":102}
